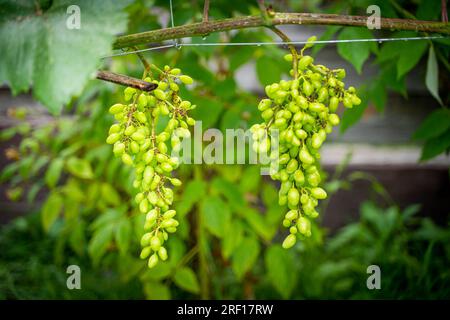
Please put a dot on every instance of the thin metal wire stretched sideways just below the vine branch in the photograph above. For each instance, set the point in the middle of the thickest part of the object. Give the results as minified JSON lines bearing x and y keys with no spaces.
{"x":278,"y":43}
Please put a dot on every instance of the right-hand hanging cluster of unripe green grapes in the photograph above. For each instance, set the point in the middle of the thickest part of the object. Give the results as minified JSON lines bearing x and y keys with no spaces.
{"x":303,"y":112}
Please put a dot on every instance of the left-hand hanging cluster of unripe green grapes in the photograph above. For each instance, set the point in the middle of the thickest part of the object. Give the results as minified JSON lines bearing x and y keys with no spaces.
{"x":137,"y":142}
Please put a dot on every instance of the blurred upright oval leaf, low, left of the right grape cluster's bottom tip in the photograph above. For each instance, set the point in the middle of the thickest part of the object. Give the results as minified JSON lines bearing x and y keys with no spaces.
{"x":244,"y":256}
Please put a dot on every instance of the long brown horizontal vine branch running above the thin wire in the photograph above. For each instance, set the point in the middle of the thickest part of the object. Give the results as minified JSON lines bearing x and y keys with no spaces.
{"x":207,"y":27}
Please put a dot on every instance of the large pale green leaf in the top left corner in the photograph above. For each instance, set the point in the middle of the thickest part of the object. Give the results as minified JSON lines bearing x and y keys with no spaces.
{"x":39,"y":50}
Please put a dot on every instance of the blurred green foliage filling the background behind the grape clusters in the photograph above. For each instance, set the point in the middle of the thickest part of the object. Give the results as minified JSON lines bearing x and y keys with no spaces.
{"x":228,"y":244}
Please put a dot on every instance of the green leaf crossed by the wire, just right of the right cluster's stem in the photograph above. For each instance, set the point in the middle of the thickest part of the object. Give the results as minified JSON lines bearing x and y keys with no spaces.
{"x":355,"y":52}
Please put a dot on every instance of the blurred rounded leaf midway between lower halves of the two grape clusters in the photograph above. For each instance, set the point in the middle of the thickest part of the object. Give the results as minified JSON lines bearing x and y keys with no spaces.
{"x":216,"y":215}
